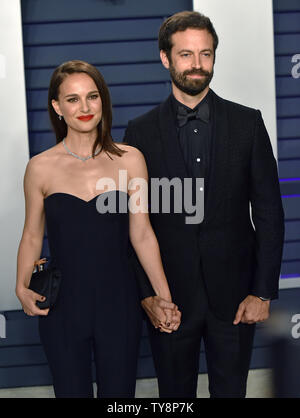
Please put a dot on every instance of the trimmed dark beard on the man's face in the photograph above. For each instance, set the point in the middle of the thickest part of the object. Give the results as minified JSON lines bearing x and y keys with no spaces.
{"x":192,"y":87}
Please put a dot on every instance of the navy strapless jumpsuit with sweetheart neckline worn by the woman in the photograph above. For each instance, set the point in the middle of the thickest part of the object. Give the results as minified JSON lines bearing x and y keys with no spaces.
{"x":97,"y":315}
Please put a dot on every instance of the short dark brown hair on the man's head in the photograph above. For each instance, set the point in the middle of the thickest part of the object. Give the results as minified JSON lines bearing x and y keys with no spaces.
{"x":181,"y":21}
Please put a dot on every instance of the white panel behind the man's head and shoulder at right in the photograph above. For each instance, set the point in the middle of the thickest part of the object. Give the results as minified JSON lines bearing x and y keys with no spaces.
{"x":245,"y":58}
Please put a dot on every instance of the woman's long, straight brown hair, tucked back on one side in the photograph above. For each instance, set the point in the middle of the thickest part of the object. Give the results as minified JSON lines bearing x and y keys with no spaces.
{"x":104,"y":138}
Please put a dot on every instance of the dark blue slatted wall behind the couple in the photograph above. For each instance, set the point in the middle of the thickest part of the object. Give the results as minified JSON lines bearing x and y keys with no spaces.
{"x":120,"y":38}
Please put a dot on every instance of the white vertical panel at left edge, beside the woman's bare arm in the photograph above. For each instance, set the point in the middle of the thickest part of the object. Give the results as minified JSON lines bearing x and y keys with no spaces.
{"x":14,"y":148}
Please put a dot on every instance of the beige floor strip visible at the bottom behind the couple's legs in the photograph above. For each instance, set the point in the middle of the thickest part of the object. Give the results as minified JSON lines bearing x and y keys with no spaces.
{"x":259,"y":386}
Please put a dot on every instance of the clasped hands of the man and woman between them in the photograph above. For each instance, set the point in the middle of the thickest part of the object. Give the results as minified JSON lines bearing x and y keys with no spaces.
{"x":162,"y":314}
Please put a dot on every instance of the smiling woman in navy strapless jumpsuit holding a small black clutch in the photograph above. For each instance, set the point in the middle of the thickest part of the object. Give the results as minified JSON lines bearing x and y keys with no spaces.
{"x":98,"y":307}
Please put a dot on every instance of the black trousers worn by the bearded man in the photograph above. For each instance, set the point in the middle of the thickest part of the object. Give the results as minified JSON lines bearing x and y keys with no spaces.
{"x":176,"y":356}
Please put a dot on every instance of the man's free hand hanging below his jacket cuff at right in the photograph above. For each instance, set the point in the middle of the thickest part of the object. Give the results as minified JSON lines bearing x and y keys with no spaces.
{"x":252,"y":310}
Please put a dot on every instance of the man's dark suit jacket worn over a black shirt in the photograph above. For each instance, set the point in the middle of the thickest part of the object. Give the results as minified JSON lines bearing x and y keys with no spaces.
{"x":237,"y":259}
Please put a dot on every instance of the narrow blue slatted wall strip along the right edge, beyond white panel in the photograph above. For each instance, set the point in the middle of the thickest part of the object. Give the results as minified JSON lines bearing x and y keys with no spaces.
{"x":287,"y":45}
